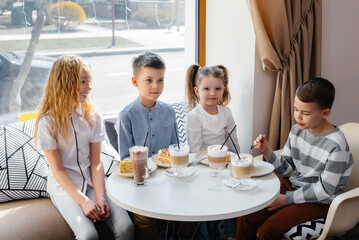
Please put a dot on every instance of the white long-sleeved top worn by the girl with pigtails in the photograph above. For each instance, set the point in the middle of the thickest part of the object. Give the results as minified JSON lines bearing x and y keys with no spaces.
{"x":205,"y":129}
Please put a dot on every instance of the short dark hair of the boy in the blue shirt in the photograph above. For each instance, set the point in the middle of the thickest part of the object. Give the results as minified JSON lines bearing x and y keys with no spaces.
{"x":147,"y":59}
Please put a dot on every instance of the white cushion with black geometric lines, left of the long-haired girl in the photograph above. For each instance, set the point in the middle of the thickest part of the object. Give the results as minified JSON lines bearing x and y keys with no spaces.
{"x":23,"y":169}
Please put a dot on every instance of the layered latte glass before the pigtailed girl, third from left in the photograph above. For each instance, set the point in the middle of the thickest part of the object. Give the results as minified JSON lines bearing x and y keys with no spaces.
{"x":217,"y":158}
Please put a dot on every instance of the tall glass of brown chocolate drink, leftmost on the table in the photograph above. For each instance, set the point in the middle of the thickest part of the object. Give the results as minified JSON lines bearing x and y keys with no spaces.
{"x":139,"y":156}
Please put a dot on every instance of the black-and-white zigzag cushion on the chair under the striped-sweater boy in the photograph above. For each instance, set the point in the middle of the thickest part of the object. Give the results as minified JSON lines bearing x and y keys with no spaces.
{"x":308,"y":230}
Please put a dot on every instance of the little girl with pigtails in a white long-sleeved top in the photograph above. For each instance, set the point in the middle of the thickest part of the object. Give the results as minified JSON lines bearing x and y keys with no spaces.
{"x":209,"y":121}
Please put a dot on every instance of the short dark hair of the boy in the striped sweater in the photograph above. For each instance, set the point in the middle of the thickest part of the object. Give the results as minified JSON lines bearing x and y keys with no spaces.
{"x":317,"y":90}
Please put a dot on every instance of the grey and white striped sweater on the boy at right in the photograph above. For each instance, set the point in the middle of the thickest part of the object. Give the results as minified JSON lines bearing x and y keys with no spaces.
{"x":320,"y":165}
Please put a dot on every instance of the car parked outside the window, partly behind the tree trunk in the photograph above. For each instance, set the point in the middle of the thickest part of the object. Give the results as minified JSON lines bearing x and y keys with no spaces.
{"x":33,"y":88}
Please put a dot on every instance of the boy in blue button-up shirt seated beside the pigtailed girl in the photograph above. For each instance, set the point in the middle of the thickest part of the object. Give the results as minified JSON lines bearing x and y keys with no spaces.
{"x":146,"y":114}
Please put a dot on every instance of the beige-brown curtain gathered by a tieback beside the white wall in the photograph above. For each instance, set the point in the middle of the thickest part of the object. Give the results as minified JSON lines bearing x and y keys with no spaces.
{"x":288,"y":39}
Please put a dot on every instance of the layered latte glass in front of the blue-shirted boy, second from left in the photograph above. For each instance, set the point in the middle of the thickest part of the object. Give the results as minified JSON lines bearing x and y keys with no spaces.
{"x":179,"y":158}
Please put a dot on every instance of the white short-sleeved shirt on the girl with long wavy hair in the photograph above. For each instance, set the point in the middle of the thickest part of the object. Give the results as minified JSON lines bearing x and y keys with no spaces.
{"x":75,"y":154}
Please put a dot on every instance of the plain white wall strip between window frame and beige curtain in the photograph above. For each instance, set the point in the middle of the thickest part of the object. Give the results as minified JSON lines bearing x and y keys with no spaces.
{"x":230,"y":41}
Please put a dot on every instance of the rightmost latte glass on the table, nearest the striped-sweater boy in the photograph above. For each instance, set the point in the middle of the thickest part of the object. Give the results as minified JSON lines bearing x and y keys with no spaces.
{"x":242,"y":168}
